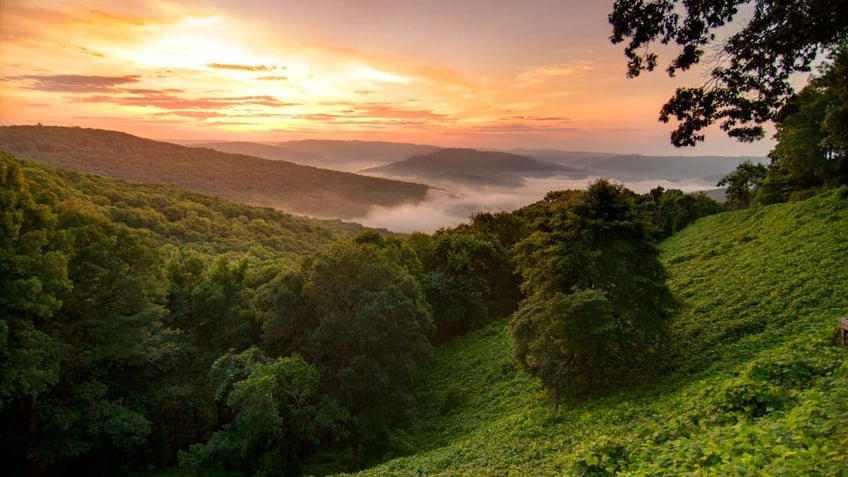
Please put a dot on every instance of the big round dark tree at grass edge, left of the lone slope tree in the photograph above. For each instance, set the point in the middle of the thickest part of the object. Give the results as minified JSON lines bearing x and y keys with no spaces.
{"x":366,"y":324}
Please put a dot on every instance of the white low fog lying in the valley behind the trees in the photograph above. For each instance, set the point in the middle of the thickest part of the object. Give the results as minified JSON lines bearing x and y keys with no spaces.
{"x":450,"y":205}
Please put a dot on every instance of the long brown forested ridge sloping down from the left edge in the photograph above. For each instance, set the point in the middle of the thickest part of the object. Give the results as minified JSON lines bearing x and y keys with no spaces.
{"x":282,"y":185}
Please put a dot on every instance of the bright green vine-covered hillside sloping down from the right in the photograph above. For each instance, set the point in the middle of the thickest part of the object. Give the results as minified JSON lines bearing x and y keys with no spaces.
{"x":754,"y":387}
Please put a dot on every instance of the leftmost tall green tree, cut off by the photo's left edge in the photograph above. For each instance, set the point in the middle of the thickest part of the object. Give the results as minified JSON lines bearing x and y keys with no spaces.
{"x":33,"y":274}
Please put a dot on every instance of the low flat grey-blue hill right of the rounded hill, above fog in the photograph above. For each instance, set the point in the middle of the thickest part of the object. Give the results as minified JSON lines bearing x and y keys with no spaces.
{"x":638,"y":167}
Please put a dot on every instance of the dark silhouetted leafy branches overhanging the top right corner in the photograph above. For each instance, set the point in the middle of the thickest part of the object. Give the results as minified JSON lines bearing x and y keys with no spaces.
{"x":749,"y":80}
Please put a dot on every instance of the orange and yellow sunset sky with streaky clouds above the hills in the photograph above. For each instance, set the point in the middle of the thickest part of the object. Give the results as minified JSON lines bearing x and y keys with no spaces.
{"x":494,"y":74}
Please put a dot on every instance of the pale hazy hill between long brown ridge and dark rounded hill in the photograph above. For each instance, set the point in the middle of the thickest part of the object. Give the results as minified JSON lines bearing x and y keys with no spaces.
{"x":354,"y":156}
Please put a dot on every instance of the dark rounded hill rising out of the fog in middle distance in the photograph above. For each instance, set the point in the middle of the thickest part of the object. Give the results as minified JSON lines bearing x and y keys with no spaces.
{"x":473,"y":167}
